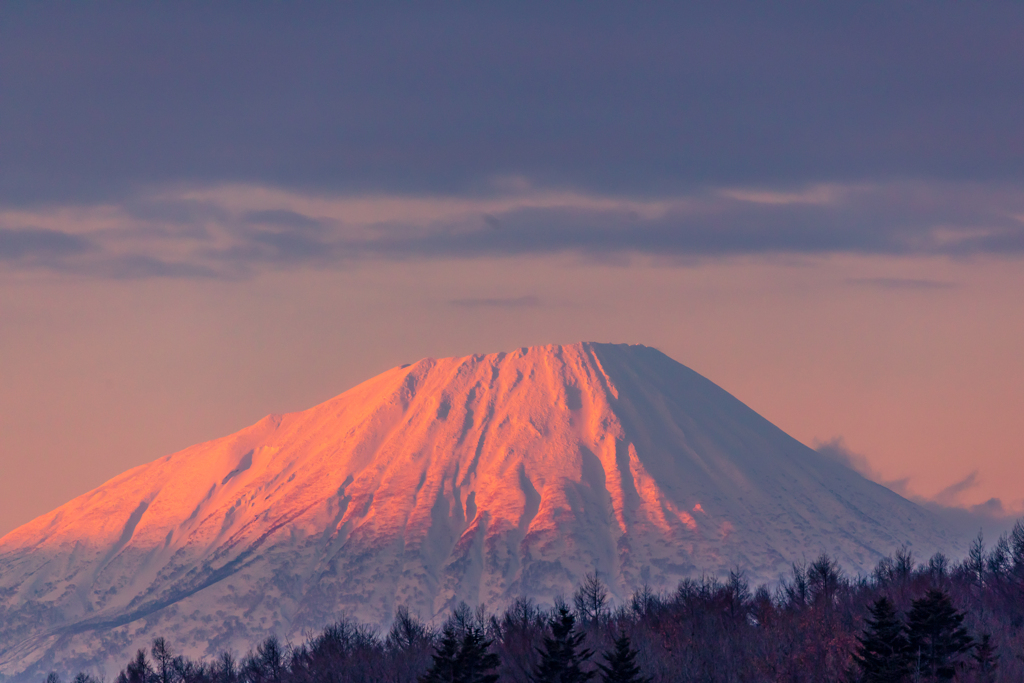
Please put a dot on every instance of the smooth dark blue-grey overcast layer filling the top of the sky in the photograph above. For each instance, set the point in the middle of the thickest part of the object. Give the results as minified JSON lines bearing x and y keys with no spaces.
{"x":100,"y":101}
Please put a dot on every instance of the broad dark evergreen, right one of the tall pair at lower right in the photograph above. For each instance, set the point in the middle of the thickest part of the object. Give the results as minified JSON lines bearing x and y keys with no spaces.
{"x":938,"y":642}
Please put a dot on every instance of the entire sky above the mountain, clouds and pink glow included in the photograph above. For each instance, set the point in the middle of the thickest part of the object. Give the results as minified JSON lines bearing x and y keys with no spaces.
{"x":214,"y":214}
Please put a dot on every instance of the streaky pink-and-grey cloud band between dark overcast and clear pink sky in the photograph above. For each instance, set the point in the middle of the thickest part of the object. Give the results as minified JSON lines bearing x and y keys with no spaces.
{"x":237,"y":231}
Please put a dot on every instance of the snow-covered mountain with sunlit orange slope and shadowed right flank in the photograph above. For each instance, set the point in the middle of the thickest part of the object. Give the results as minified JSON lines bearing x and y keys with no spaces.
{"x":478,"y":479}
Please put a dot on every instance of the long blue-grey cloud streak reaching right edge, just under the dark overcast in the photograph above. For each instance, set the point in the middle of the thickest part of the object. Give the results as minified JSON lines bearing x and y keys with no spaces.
{"x":716,"y":229}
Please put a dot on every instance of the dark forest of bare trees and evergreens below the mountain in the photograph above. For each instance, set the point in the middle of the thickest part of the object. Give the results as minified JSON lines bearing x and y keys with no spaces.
{"x":908,"y":622}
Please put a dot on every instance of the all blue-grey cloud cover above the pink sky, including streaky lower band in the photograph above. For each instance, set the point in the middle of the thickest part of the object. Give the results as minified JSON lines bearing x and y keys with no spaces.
{"x":136,"y":108}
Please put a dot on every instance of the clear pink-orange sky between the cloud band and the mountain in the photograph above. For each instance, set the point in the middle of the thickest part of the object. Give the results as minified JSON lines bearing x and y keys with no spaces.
{"x":914,"y":363}
